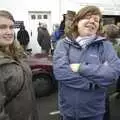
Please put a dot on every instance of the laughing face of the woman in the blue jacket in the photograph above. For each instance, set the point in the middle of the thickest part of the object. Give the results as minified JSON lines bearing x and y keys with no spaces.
{"x":89,"y":25}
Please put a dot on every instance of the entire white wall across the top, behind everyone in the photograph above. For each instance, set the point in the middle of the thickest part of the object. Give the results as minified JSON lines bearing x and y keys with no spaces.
{"x":20,"y":8}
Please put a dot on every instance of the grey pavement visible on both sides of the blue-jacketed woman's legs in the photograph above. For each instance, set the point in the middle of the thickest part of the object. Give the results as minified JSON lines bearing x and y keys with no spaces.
{"x":48,"y":109}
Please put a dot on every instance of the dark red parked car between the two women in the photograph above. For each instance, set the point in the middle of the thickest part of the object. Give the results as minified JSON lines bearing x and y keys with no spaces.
{"x":43,"y":79}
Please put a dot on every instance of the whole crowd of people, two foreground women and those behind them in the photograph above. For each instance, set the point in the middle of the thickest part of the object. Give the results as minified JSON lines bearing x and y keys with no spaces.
{"x":85,"y":63}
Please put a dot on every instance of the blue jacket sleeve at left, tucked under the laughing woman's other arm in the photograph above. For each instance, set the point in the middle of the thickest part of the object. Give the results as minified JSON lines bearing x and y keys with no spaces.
{"x":62,"y":70}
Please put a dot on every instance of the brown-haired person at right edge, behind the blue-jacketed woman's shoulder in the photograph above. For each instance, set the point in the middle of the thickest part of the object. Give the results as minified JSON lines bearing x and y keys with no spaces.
{"x":111,"y":32}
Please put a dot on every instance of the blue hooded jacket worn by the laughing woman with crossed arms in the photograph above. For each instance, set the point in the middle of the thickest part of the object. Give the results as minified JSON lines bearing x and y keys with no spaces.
{"x":82,"y":94}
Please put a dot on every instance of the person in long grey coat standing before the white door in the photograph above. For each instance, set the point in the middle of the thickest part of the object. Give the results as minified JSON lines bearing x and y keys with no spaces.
{"x":43,"y":38}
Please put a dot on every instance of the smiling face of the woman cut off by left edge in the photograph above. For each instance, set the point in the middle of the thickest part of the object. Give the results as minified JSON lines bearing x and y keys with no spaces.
{"x":6,"y":31}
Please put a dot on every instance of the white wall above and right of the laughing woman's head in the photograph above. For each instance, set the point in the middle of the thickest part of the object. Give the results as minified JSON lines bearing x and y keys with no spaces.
{"x":108,"y":7}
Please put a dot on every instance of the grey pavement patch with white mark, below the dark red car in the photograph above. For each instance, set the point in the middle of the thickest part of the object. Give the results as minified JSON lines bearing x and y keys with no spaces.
{"x":48,"y":105}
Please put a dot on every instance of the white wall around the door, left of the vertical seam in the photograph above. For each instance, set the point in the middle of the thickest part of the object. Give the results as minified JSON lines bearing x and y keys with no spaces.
{"x":20,"y":8}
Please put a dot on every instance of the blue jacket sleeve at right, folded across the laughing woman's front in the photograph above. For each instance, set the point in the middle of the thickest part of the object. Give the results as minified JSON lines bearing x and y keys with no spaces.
{"x":105,"y":73}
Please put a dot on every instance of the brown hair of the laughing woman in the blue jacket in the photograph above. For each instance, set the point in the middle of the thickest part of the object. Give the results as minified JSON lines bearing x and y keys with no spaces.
{"x":88,"y":10}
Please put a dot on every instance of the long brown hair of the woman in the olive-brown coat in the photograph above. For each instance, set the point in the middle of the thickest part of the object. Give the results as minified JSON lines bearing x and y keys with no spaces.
{"x":14,"y":50}
